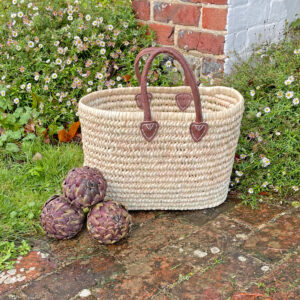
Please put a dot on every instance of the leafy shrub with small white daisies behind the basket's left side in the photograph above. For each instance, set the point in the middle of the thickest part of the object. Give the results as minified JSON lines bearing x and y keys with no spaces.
{"x":53,"y":53}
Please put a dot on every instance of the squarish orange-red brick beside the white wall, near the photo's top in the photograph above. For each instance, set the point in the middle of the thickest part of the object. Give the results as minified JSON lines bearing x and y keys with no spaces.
{"x":214,"y":18}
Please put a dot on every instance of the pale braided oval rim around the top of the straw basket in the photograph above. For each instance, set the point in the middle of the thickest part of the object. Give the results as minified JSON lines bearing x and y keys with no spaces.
{"x":84,"y":106}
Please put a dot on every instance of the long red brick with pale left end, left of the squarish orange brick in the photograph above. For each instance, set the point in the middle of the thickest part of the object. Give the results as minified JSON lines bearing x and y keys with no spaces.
{"x":179,"y":14}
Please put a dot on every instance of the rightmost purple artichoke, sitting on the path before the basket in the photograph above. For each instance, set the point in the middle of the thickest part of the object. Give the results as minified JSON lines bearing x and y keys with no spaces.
{"x":108,"y":222}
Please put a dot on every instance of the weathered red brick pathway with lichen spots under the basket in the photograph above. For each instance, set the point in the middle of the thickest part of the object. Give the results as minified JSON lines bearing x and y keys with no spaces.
{"x":217,"y":253}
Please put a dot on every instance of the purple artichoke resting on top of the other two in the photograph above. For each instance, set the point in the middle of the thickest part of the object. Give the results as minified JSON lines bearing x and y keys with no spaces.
{"x":84,"y":187}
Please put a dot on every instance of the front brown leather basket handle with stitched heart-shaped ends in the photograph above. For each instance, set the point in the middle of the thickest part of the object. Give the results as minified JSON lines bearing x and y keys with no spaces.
{"x":149,"y":128}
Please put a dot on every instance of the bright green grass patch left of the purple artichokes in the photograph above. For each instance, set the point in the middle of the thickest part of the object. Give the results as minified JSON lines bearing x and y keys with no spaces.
{"x":24,"y":187}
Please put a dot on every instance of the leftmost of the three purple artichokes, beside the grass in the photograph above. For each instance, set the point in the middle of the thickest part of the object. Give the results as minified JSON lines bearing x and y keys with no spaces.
{"x":60,"y":219}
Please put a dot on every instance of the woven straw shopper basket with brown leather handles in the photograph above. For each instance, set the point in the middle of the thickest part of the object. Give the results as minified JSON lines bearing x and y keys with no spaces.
{"x":170,"y":157}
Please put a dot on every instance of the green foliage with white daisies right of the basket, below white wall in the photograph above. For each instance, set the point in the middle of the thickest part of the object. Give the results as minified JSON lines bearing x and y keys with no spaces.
{"x":268,"y":162}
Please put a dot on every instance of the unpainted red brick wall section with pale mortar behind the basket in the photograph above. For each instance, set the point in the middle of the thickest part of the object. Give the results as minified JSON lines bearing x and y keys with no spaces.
{"x":197,"y":28}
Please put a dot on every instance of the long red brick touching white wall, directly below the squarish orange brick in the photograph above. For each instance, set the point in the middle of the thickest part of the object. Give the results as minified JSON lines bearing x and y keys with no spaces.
{"x":203,"y":42}
